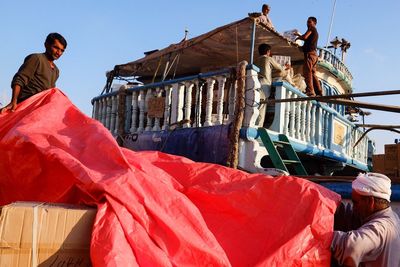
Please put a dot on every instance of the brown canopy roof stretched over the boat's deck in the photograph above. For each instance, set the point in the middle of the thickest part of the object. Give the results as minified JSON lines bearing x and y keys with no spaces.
{"x":222,"y":47}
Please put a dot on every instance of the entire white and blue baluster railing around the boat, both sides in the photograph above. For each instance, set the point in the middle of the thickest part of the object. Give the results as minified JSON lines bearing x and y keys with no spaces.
{"x":209,"y":99}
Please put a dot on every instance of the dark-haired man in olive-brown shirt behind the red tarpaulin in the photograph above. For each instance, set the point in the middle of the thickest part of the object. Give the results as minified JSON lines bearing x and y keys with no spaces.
{"x":38,"y":72}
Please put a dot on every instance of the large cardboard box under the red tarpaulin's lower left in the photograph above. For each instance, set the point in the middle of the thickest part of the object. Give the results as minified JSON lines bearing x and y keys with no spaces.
{"x":42,"y":234}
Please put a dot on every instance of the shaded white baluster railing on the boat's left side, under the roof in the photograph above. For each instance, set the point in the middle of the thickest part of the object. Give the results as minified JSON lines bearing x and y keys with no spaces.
{"x":180,"y":100}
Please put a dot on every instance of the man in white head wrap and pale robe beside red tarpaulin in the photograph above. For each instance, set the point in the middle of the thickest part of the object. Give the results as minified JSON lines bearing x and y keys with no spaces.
{"x":377,"y":241}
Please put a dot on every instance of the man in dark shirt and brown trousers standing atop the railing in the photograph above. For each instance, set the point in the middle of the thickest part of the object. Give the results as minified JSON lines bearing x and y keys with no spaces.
{"x":310,"y":39}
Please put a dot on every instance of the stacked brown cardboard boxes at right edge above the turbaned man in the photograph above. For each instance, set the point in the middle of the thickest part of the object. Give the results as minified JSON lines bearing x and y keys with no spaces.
{"x":388,"y":163}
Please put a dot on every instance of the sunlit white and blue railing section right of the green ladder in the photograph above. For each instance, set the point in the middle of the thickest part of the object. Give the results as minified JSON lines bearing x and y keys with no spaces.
{"x":317,"y":125}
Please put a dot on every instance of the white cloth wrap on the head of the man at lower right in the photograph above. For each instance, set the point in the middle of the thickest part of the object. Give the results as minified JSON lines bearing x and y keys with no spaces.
{"x":373,"y":184}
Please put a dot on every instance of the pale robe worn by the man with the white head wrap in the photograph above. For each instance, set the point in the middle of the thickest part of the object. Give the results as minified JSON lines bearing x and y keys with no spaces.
{"x":375,"y":243}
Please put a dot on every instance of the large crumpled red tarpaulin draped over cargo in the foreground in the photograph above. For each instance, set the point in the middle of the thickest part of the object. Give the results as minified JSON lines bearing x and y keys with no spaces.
{"x":156,"y":209}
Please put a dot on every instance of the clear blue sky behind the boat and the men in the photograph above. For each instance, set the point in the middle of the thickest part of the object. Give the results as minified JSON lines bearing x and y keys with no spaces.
{"x":101,"y":34}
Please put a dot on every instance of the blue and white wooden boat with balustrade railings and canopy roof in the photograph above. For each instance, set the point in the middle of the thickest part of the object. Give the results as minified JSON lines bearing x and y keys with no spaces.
{"x":184,"y":99}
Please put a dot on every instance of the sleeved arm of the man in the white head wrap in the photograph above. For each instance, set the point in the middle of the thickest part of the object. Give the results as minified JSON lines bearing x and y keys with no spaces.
{"x":350,"y":248}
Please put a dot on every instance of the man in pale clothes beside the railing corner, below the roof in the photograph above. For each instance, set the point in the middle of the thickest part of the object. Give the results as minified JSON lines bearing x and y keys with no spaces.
{"x":266,"y":64}
